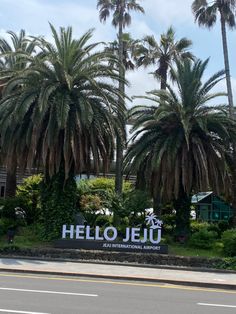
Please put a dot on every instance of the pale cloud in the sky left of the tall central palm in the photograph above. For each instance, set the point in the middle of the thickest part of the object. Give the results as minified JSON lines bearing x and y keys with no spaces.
{"x":34,"y":15}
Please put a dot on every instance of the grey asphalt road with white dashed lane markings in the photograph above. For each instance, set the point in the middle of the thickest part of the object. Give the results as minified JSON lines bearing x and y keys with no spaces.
{"x":38,"y":294}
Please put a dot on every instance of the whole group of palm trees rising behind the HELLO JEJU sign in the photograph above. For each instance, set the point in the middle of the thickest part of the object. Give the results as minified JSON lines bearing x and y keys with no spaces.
{"x":63,"y":108}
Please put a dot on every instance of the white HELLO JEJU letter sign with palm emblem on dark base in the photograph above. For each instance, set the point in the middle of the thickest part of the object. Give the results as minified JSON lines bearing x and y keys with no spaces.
{"x":135,"y":239}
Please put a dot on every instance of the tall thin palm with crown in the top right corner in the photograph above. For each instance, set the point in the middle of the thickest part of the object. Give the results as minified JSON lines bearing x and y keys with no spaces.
{"x":206,"y":15}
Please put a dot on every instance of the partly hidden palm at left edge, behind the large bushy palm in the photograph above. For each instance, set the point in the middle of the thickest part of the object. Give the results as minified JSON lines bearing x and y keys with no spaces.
{"x":12,"y":61}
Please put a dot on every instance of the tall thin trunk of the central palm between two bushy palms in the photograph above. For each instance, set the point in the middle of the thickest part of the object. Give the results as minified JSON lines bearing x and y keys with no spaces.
{"x":119,"y":139}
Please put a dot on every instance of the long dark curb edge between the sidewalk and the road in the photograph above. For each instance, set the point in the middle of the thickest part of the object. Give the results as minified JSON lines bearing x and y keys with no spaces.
{"x":219,"y":286}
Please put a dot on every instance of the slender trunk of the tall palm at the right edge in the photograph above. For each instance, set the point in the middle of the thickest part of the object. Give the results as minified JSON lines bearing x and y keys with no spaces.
{"x":231,"y":111}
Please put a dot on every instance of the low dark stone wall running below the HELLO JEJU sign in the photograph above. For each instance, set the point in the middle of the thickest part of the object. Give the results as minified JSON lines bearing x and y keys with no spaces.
{"x":119,"y":257}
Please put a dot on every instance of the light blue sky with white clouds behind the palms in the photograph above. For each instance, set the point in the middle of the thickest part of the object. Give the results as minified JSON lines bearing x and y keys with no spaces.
{"x":34,"y":16}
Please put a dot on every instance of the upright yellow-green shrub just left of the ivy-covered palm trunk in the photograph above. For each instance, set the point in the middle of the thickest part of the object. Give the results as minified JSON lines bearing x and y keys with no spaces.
{"x":30,"y":191}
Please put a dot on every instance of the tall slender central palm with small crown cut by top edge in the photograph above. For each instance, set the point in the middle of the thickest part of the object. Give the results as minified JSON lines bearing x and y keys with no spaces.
{"x":121,"y":18}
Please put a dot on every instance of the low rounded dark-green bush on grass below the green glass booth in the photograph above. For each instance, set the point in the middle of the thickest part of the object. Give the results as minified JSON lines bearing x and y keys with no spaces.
{"x":203,"y":239}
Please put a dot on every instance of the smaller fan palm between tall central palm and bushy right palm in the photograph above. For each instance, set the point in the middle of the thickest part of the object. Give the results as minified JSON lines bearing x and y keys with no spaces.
{"x":162,"y":54}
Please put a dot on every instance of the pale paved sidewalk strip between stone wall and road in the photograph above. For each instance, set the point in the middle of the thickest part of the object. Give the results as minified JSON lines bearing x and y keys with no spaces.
{"x":221,"y":280}
